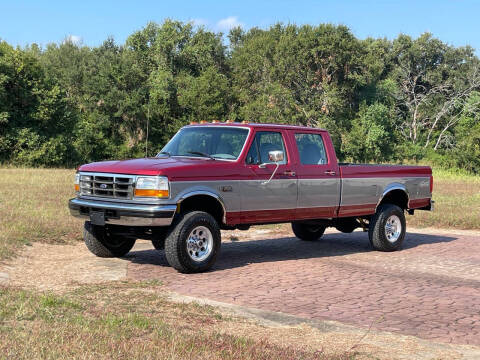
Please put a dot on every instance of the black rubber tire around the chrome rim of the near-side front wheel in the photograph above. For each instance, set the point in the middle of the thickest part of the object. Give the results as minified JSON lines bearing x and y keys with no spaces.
{"x":176,"y":242}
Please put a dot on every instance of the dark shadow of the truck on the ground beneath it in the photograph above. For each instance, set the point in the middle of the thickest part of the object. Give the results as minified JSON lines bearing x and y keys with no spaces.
{"x":236,"y":254}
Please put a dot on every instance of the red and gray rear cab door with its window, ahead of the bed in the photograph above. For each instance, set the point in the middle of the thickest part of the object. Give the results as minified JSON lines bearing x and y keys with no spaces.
{"x":318,"y":178}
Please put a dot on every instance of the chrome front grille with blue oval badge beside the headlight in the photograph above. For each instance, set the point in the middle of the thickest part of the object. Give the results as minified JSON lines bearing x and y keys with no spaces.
{"x":107,"y":185}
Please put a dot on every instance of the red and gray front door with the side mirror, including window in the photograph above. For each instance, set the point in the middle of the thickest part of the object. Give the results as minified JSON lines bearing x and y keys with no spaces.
{"x":264,"y":200}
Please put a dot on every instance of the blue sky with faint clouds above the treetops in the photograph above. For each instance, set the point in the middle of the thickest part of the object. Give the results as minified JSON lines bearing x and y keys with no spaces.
{"x":91,"y":22}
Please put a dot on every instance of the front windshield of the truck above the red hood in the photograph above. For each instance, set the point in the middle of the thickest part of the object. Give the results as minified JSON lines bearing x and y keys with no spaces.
{"x":216,"y":142}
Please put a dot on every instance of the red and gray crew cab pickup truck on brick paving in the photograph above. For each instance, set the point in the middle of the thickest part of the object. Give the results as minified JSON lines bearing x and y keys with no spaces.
{"x":230,"y":176}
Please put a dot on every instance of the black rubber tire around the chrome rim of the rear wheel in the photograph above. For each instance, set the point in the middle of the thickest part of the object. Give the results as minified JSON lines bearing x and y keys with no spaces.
{"x":376,"y":229}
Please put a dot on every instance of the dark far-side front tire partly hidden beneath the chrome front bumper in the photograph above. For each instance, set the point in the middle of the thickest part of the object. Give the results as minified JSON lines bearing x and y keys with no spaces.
{"x":101,"y":244}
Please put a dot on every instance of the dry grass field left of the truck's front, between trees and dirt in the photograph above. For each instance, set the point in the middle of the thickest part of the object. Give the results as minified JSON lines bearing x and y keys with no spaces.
{"x":33,"y":207}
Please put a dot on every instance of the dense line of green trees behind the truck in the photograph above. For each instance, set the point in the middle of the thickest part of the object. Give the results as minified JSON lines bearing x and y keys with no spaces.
{"x":382,"y":100}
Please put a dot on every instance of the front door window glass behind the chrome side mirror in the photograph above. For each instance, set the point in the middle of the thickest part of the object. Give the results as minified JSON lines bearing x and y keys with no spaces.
{"x":263,"y":143}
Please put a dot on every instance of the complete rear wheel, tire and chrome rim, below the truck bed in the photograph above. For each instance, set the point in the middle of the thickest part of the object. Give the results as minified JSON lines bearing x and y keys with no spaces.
{"x":387,"y":228}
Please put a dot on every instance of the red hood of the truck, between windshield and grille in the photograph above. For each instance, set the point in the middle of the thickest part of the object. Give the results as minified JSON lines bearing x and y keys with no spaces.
{"x":176,"y":168}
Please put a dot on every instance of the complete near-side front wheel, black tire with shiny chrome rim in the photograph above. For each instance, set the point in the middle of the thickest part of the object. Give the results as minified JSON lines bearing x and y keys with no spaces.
{"x":193,"y":243}
